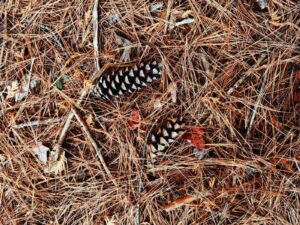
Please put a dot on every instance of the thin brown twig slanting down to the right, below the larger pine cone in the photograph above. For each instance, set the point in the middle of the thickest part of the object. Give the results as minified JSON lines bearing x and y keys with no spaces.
{"x":98,"y":151}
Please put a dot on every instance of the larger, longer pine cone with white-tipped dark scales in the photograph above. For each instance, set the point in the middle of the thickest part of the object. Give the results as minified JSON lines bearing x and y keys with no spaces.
{"x":127,"y":80}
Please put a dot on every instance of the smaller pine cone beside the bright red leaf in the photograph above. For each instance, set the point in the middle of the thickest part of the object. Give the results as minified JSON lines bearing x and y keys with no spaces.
{"x":164,"y":137}
